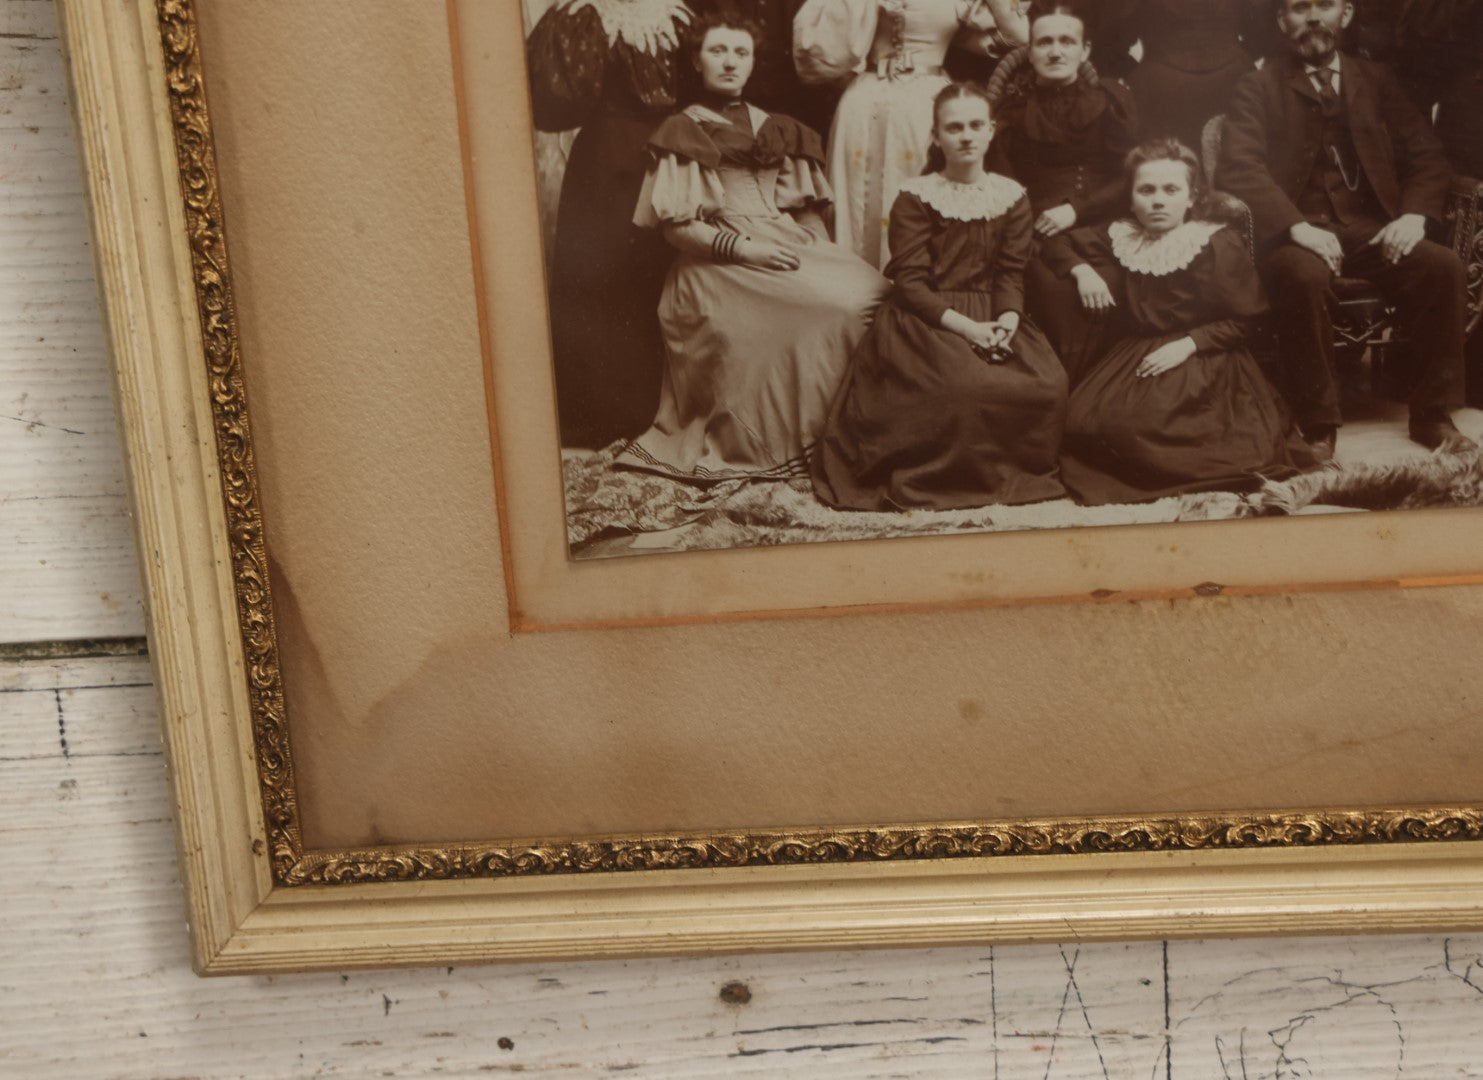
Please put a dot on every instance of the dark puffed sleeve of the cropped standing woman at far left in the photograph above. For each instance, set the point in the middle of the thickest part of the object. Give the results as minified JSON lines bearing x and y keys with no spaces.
{"x":567,"y":54}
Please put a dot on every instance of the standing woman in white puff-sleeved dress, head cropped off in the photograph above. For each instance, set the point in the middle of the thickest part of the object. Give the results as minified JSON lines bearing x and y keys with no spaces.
{"x":892,"y":53}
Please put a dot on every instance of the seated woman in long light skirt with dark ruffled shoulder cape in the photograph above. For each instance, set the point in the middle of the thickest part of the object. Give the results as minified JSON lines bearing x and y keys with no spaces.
{"x":762,"y":311}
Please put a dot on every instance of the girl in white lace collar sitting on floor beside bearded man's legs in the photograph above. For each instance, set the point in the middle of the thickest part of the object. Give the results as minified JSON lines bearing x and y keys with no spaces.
{"x":1178,"y":404}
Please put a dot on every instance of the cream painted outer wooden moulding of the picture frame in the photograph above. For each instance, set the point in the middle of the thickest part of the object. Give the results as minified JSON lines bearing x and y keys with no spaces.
{"x":242,"y":922}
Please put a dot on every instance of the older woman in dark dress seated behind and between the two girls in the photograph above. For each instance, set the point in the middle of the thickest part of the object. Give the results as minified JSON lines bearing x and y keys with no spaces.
{"x":1063,"y":133}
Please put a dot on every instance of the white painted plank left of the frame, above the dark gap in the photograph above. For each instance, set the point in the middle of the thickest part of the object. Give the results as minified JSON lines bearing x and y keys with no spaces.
{"x":66,"y":553}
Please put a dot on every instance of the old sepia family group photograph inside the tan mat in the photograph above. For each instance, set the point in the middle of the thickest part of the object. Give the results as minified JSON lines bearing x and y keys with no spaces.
{"x":865,"y":269}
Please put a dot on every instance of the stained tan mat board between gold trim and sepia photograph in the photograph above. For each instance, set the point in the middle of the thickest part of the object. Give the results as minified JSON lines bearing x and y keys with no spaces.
{"x":417,"y":717}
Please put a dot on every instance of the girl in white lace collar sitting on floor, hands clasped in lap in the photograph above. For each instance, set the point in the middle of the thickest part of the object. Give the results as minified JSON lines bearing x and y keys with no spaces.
{"x":954,"y":400}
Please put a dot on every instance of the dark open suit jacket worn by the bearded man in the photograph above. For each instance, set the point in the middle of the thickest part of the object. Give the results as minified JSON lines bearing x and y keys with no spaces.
{"x":1272,"y":143}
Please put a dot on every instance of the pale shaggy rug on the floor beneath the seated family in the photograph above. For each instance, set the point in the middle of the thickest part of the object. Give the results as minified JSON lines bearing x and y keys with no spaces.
{"x":618,"y":511}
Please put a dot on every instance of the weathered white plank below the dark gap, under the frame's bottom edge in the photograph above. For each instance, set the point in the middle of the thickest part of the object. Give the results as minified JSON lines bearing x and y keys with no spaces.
{"x":94,"y":974}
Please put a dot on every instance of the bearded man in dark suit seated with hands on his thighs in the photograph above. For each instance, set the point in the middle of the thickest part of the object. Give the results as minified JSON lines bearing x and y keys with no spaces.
{"x":1343,"y":176}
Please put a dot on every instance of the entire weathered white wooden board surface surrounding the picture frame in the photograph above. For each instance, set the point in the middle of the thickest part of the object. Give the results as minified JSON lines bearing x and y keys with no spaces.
{"x":94,"y":975}
